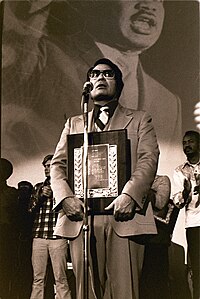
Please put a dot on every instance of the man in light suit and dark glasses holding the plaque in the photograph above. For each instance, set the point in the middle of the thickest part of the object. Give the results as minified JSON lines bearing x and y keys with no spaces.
{"x":115,"y":255}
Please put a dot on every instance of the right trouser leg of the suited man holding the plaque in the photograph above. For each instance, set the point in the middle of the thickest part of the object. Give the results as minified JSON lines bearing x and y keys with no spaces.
{"x":124,"y":265}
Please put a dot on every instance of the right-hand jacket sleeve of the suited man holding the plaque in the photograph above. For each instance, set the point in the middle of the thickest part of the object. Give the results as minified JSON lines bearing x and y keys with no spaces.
{"x":145,"y":153}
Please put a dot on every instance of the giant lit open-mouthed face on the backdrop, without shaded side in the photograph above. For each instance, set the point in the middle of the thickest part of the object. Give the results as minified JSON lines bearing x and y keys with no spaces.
{"x":141,"y":22}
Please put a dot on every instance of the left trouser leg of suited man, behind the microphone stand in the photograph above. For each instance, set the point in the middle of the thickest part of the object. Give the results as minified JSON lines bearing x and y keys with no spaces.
{"x":96,"y":255}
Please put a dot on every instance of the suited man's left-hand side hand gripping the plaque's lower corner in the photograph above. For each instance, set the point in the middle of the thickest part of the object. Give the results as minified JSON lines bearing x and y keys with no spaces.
{"x":73,"y":208}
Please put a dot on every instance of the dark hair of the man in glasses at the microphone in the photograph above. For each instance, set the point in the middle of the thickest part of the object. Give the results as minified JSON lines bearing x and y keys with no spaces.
{"x":114,"y":67}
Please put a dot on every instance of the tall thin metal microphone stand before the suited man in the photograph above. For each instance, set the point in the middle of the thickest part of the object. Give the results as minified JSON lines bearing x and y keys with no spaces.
{"x":85,"y":99}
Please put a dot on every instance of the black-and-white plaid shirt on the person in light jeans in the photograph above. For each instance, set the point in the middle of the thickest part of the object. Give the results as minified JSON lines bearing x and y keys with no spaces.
{"x":44,"y":217}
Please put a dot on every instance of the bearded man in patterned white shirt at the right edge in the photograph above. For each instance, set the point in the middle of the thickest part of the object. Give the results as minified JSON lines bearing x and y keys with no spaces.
{"x":187,"y":194}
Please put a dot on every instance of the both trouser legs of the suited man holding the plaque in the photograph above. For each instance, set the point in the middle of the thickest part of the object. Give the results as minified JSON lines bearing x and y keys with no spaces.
{"x":115,"y":263}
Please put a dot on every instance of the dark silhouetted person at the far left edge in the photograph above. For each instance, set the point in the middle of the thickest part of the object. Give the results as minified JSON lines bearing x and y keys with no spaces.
{"x":9,"y":232}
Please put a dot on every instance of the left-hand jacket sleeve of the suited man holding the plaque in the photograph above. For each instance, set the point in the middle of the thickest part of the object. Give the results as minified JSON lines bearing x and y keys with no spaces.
{"x":59,"y":182}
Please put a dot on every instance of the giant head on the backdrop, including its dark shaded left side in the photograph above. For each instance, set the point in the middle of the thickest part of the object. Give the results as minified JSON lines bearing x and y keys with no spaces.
{"x":127,"y":25}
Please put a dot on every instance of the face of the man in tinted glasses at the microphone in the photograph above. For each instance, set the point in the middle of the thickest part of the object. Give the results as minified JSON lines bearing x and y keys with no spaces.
{"x":104,"y":86}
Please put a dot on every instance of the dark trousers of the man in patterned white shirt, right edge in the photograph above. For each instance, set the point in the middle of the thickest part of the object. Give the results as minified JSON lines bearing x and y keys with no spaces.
{"x":193,"y":240}
